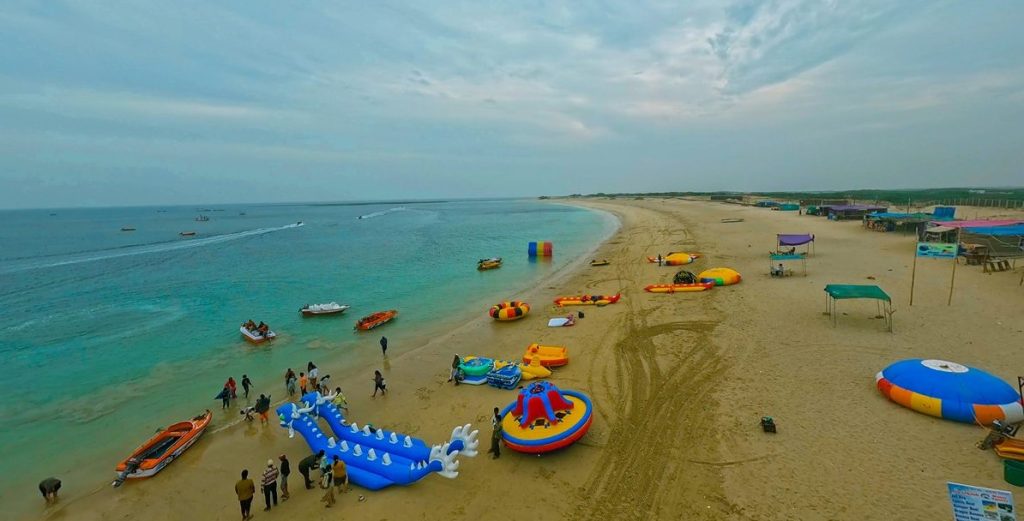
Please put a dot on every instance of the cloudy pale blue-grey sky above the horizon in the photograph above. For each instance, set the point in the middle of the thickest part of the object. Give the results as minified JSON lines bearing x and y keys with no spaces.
{"x":157,"y":103}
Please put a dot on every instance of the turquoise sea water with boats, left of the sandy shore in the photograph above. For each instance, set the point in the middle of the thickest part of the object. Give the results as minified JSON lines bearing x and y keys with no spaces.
{"x":108,"y":335}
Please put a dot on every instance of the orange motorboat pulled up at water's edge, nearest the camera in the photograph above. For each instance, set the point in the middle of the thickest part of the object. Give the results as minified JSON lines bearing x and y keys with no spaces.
{"x":161,"y":450}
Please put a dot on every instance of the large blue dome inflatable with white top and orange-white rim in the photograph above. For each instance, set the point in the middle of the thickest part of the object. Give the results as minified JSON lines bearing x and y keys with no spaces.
{"x":949,"y":390}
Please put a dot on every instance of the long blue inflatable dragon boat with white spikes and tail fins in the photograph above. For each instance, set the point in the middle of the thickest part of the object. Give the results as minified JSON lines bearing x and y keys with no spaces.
{"x":375,"y":458}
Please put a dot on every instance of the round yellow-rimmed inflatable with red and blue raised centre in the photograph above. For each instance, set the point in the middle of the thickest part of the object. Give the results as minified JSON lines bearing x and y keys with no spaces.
{"x":545,"y":418}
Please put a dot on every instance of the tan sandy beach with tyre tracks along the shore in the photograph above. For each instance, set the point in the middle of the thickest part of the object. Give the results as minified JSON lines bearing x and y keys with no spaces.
{"x":679,"y":384}
